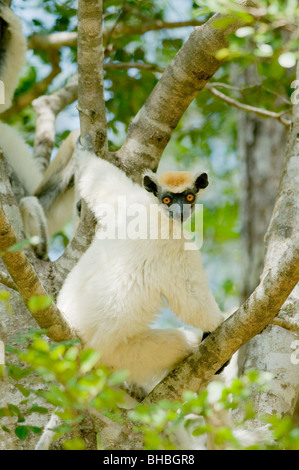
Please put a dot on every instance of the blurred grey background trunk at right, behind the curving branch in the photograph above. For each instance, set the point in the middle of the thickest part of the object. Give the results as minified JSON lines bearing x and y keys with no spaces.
{"x":261,"y":148}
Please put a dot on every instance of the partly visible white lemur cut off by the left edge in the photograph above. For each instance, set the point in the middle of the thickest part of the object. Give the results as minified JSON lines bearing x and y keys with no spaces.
{"x":46,"y":200}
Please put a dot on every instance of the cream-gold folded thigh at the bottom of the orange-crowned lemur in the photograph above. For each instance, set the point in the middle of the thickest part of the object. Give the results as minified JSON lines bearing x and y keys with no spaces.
{"x":152,"y":354}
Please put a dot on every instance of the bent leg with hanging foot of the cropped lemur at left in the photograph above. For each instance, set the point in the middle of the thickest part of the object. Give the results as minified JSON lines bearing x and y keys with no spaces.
{"x":51,"y":206}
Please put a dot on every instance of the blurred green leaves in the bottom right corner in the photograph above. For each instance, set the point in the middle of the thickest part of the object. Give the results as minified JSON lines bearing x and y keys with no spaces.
{"x":197,"y":413}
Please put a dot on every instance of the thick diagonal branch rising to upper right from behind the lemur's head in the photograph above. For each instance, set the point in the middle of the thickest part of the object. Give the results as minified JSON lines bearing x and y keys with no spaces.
{"x":182,"y":80}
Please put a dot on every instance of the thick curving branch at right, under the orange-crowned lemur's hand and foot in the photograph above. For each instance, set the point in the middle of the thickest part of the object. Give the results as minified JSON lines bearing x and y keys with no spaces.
{"x":277,"y":287}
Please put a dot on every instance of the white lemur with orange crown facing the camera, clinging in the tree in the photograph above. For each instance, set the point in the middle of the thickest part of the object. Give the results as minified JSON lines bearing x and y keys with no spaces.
{"x":114,"y":292}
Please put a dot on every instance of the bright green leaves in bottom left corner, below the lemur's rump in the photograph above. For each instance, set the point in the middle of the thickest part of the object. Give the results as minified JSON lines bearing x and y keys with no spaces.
{"x":70,"y":379}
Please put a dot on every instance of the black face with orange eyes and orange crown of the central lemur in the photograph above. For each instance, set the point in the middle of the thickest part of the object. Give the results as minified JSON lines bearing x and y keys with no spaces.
{"x":176,"y":191}
